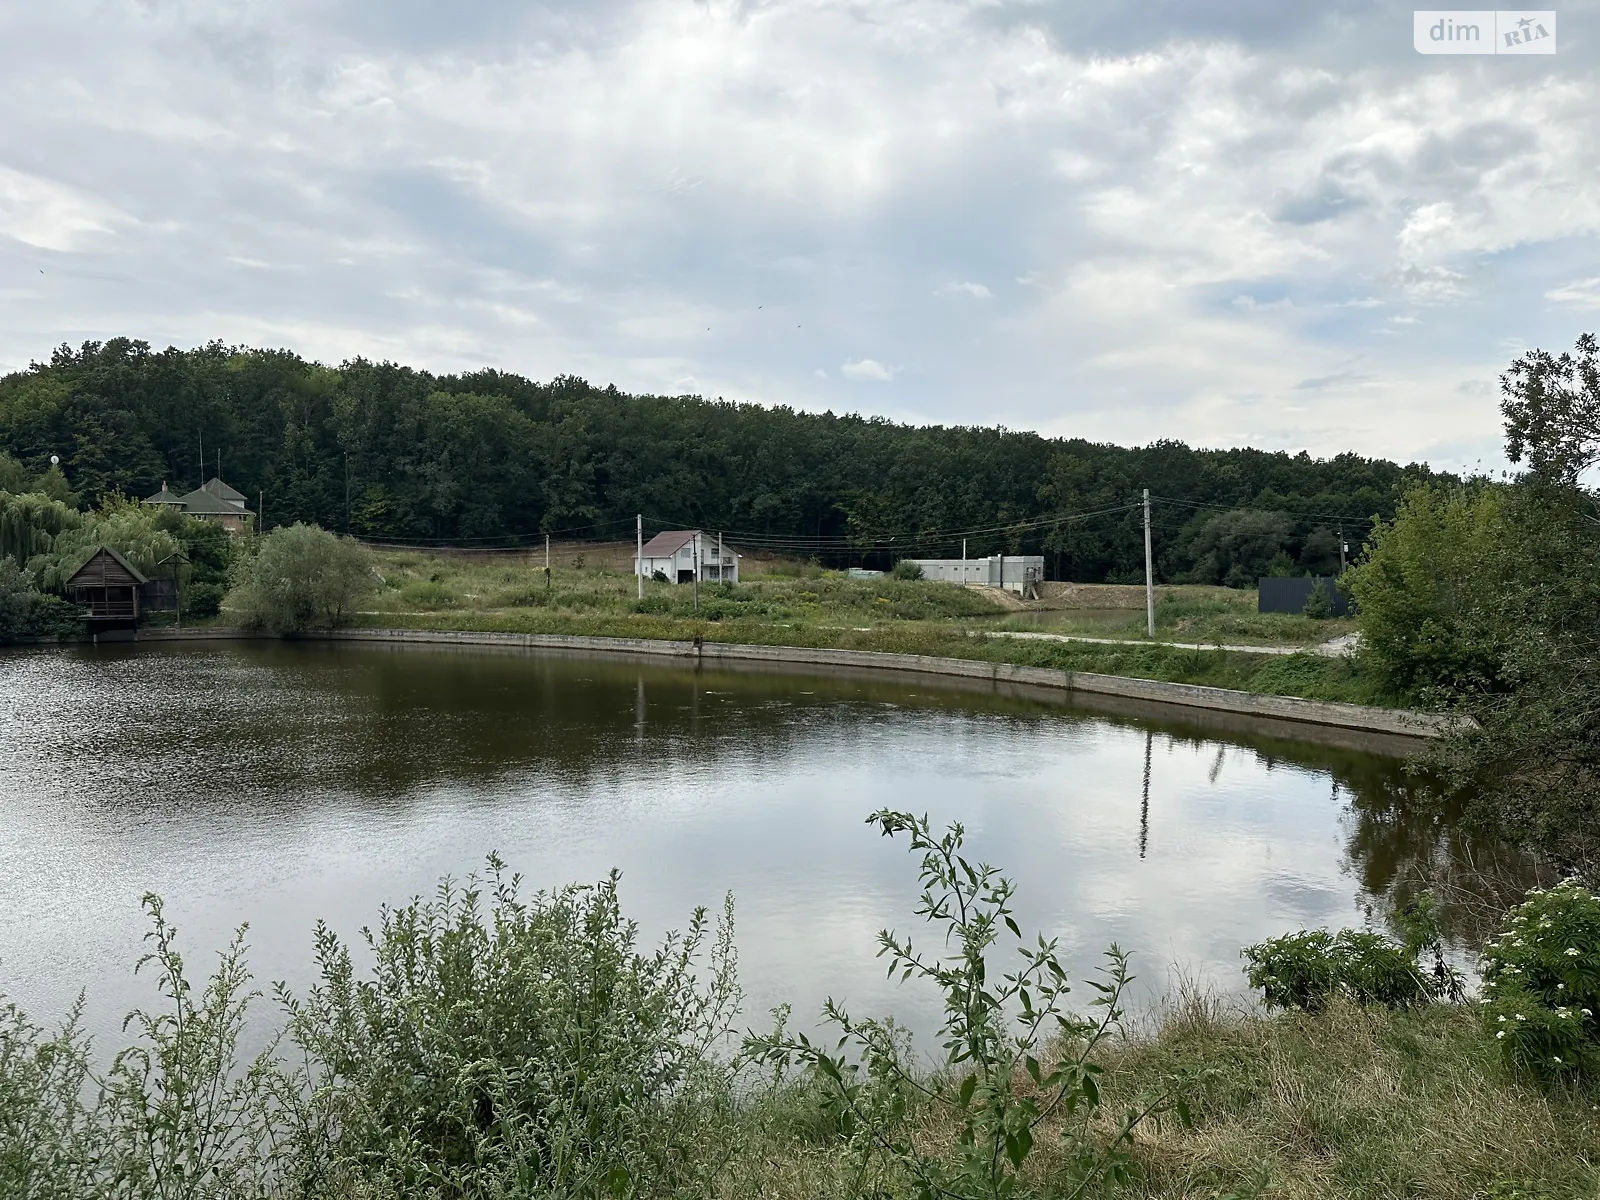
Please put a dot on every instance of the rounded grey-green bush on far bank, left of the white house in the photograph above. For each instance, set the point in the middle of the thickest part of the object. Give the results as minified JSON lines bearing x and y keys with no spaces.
{"x":303,"y":578}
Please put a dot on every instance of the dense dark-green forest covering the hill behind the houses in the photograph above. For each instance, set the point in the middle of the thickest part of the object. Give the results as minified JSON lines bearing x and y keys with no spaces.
{"x":388,"y":452}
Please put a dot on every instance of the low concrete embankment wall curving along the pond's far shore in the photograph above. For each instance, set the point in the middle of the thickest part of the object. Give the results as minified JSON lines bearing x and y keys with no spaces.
{"x":1361,"y":718}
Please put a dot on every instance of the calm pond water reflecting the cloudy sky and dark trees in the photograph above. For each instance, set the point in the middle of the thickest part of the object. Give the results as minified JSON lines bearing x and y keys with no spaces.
{"x":276,"y":785}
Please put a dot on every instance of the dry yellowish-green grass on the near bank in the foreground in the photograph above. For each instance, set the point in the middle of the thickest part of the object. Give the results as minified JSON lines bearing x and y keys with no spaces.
{"x":1351,"y":1103}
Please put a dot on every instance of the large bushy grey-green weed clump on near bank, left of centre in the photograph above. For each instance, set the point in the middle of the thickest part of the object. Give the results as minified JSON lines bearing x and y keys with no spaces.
{"x":522,"y":1050}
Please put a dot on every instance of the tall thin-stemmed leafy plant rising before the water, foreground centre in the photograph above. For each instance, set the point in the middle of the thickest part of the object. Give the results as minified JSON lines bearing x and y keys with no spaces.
{"x":1015,"y":1057}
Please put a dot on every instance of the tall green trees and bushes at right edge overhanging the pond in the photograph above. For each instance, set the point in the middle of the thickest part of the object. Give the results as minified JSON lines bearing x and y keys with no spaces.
{"x":1487,"y":601}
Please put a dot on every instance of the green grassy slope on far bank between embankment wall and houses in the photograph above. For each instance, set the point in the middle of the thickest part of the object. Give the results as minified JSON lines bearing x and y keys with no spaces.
{"x":793,"y":604}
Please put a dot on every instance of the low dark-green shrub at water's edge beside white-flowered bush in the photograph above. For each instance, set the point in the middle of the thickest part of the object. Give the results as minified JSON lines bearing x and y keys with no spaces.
{"x":1308,"y":969}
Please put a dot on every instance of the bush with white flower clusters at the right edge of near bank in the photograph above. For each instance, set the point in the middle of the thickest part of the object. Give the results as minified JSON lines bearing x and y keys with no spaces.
{"x":1542,"y":982}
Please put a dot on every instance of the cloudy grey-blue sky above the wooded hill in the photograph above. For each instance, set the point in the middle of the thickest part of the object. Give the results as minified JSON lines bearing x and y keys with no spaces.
{"x":1249,"y":223}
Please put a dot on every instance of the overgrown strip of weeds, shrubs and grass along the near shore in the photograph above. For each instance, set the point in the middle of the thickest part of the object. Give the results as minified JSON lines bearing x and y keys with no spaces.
{"x":510,"y":1046}
